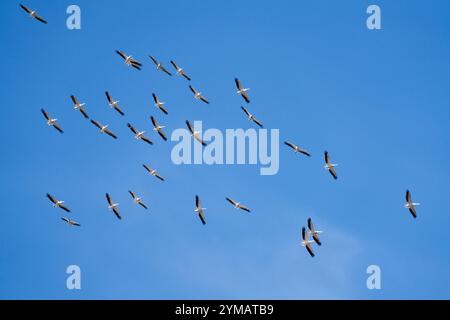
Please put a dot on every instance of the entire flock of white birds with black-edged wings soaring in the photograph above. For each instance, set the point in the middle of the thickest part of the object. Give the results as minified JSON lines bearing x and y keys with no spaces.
{"x":139,"y":135}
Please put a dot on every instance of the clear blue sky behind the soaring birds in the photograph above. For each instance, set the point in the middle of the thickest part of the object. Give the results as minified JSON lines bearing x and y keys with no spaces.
{"x":378,"y":101}
